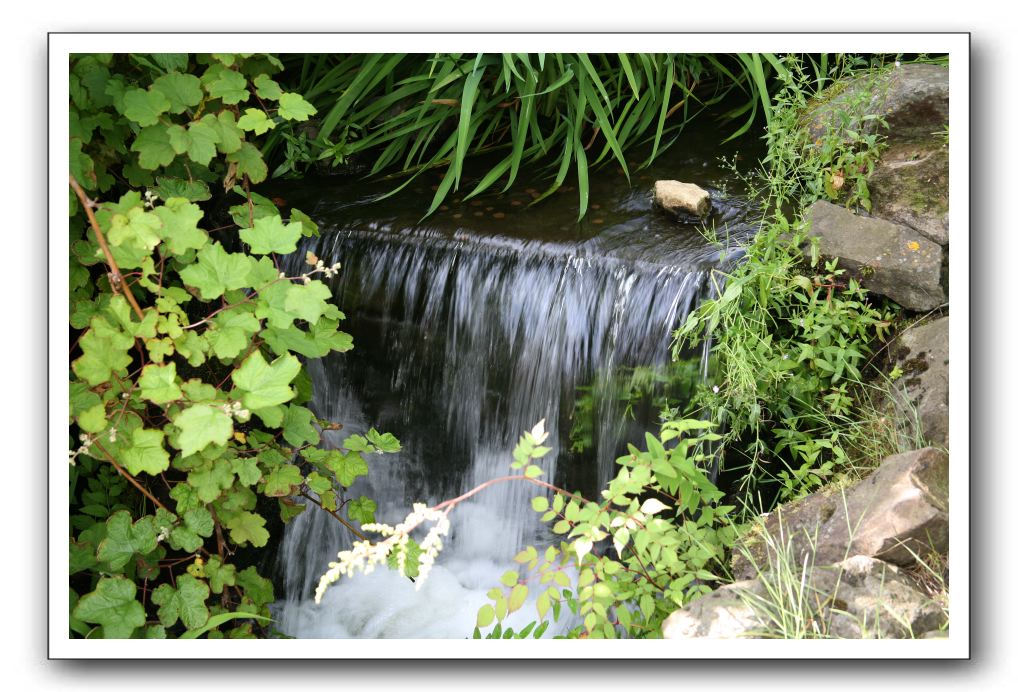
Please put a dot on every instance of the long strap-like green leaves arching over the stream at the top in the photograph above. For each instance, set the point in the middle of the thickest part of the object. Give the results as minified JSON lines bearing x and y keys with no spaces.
{"x":564,"y":111}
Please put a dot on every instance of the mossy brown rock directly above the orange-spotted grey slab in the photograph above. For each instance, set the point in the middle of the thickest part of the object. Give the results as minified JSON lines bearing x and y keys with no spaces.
{"x":910,"y":187}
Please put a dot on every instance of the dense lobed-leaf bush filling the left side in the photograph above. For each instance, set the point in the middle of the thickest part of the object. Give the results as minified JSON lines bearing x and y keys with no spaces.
{"x":184,"y":392}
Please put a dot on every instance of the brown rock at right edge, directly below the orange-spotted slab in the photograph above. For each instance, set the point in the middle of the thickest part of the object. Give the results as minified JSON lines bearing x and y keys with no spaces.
{"x":922,"y":355}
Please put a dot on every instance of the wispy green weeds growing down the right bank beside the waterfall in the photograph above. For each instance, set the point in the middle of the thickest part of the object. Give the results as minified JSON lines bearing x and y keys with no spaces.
{"x":790,"y":335}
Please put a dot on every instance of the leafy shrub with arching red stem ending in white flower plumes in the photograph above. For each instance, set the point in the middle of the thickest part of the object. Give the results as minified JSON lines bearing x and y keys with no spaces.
{"x":661,"y":516}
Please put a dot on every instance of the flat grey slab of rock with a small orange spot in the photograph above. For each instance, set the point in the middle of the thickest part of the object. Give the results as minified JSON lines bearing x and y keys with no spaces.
{"x":886,"y":258}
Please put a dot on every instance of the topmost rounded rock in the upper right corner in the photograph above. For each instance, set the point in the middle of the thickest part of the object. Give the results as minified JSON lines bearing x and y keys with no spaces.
{"x":913,"y":100}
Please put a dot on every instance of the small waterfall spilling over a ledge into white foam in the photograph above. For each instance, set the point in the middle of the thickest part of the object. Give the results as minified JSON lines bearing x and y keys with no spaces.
{"x":468,"y":332}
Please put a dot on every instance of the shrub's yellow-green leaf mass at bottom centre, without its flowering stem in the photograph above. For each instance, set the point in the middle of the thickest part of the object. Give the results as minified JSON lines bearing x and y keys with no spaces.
{"x":665,"y":539}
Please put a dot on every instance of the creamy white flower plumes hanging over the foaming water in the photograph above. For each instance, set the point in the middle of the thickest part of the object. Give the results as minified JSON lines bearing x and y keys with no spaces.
{"x":365,"y":556}
